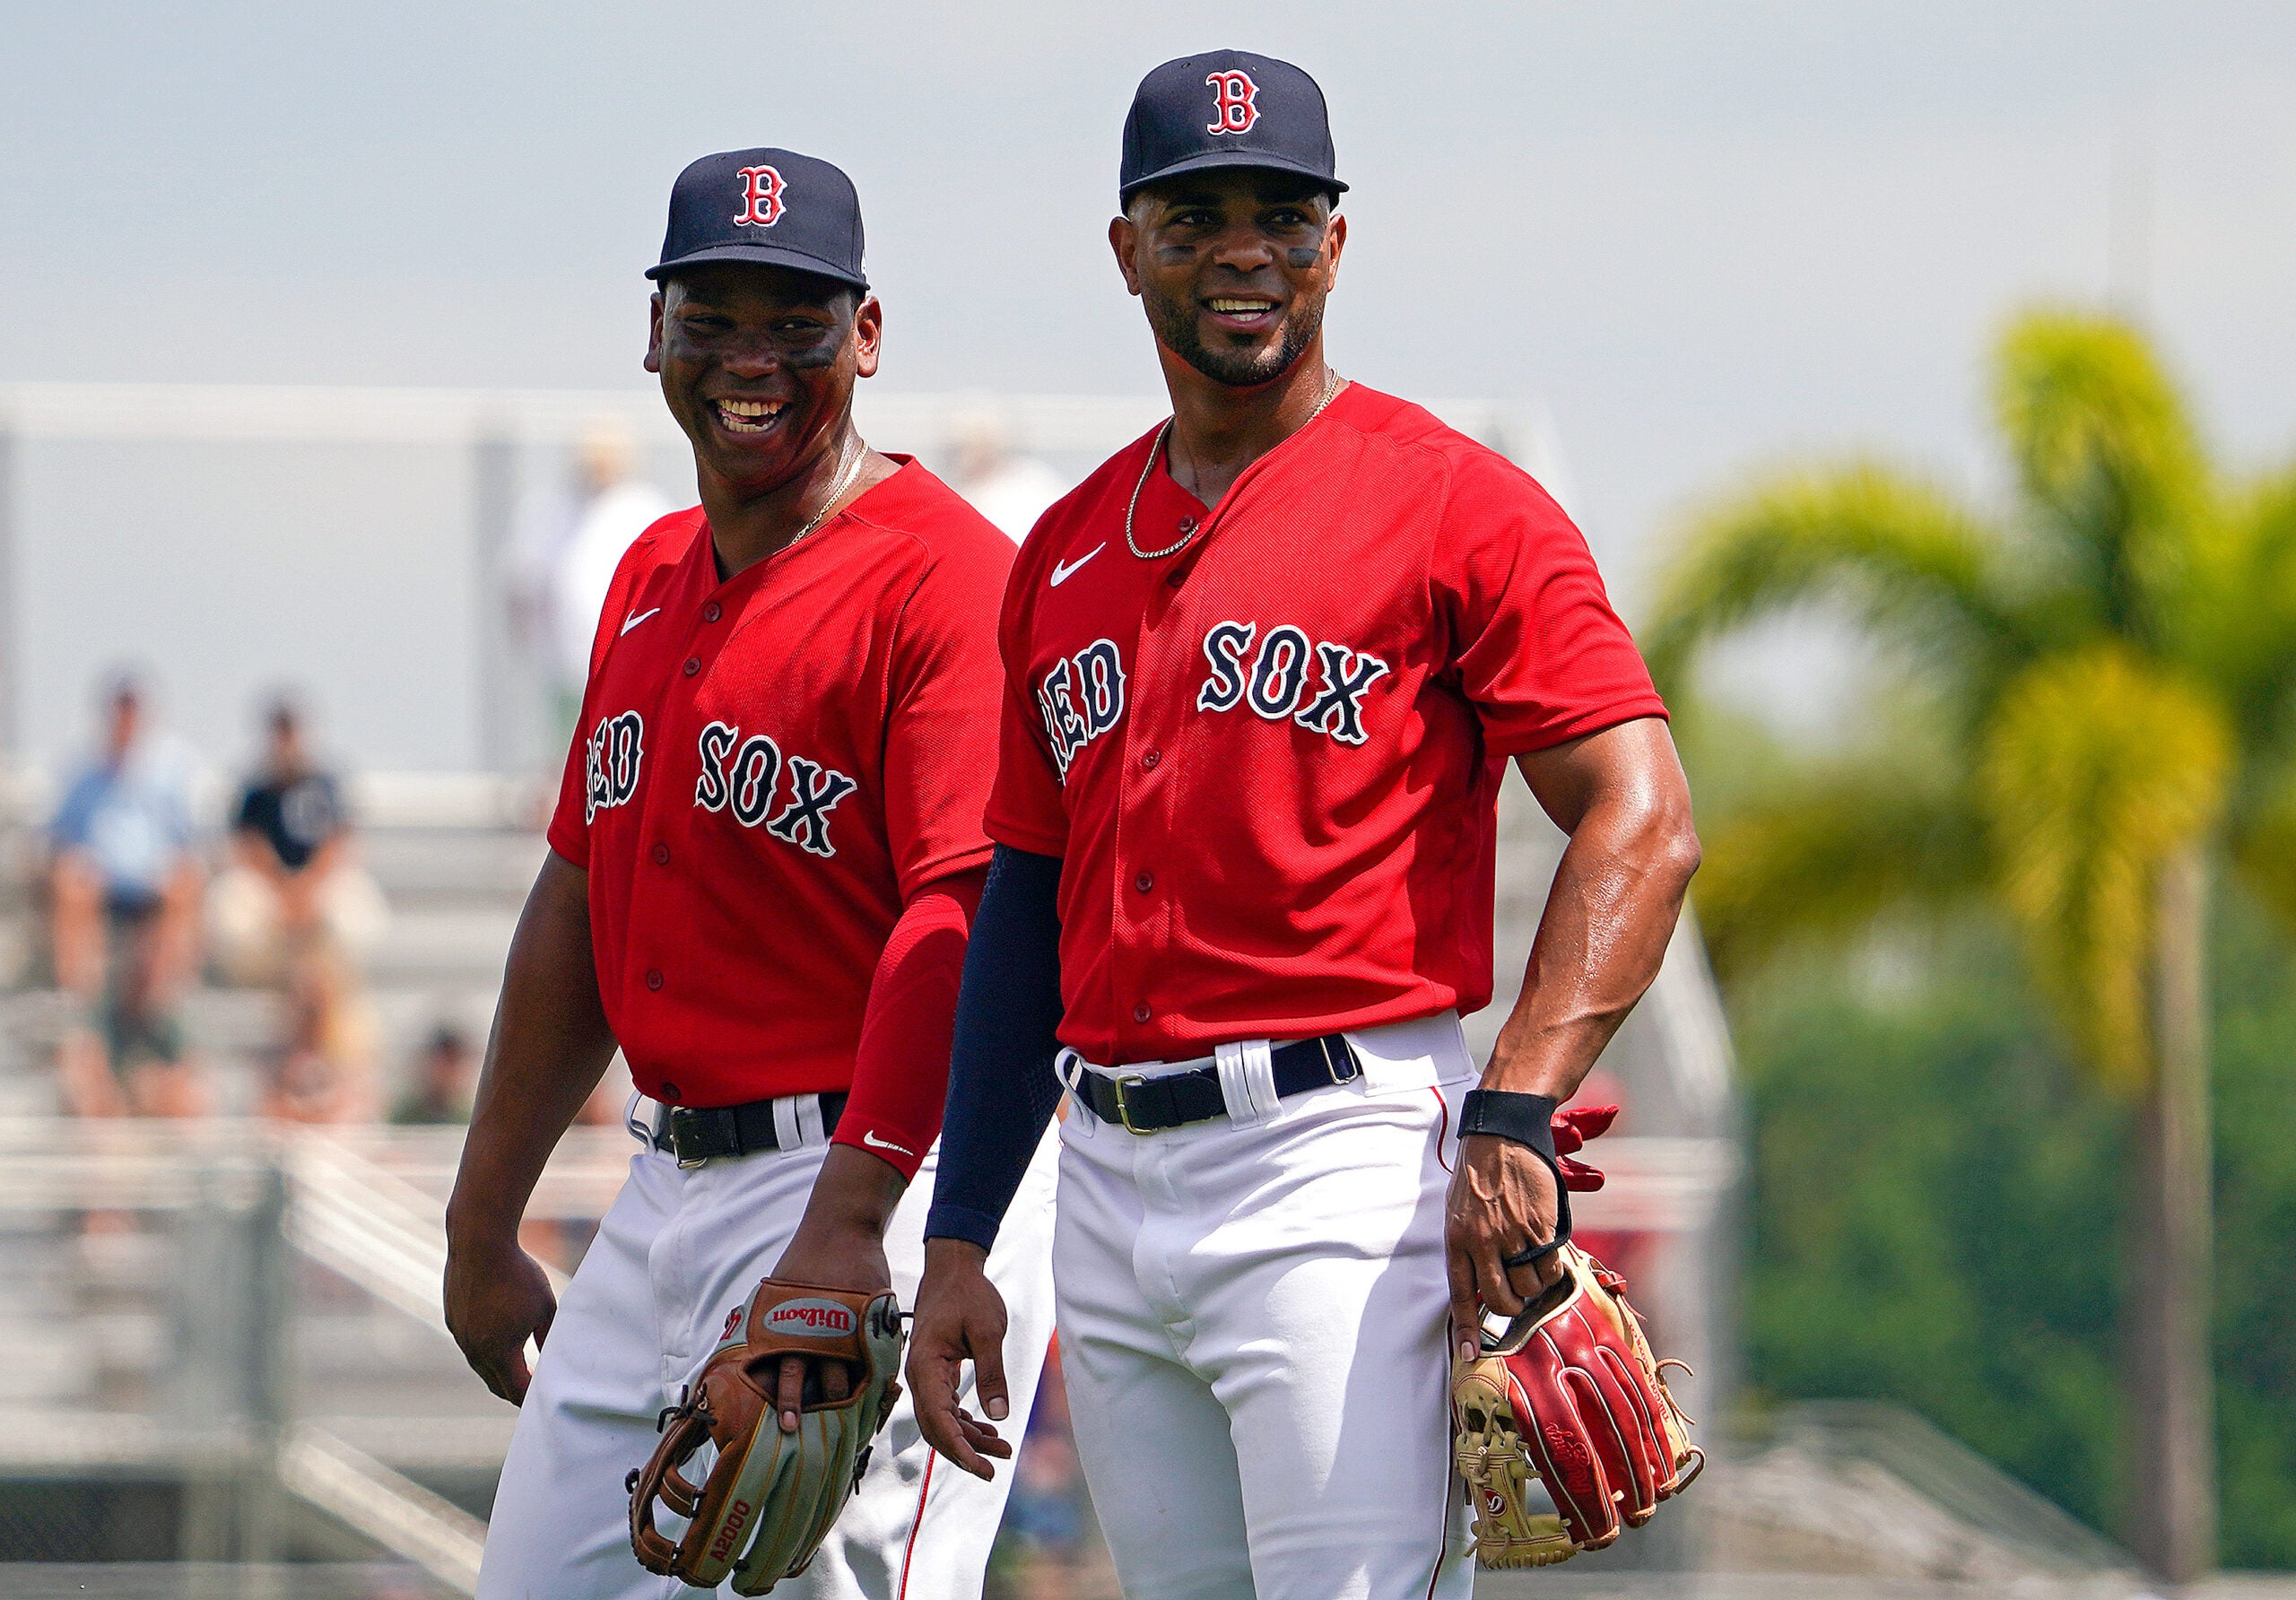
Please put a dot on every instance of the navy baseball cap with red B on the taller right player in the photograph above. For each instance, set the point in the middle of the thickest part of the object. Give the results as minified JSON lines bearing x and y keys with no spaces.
{"x":1227,"y":109}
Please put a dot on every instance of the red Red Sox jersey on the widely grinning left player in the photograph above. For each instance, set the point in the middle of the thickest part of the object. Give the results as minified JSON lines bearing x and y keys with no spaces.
{"x":766,"y":772}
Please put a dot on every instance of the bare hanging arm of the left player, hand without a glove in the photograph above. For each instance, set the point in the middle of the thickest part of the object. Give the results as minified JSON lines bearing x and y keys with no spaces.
{"x":548,"y":1053}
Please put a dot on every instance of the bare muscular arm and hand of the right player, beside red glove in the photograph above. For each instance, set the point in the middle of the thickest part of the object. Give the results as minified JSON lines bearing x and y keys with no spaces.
{"x":1618,"y":894}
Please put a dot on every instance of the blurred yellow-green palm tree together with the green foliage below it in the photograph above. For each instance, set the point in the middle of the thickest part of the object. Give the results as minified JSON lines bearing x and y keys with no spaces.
{"x":1980,"y":954}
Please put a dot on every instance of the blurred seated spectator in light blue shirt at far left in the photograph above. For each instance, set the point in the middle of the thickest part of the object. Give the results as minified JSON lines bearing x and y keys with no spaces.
{"x":123,"y":919}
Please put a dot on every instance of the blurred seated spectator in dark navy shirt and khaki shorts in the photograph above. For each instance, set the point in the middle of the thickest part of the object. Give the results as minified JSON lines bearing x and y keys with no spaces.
{"x":295,"y":912}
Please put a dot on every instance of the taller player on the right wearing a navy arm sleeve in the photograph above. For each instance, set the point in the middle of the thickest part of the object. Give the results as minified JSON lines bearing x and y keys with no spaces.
{"x":1264,"y":676}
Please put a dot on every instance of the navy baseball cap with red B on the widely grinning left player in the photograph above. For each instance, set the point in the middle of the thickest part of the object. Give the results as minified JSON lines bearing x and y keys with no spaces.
{"x":770,"y":208}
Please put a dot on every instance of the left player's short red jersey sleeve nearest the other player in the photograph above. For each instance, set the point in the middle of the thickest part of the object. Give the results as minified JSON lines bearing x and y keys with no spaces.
{"x":943,"y":713}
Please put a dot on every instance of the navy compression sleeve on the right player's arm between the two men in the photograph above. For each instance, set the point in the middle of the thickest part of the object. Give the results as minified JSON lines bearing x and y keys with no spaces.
{"x":1002,"y":1089}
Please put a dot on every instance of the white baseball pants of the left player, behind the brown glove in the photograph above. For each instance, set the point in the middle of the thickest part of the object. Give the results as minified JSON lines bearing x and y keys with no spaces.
{"x":674,"y":1255}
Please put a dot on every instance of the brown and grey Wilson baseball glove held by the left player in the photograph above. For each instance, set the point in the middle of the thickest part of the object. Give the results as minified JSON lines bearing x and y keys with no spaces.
{"x":770,"y":1498}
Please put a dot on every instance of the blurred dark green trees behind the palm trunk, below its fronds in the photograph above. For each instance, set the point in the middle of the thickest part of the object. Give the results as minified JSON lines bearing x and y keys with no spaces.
{"x":1937,"y":1211}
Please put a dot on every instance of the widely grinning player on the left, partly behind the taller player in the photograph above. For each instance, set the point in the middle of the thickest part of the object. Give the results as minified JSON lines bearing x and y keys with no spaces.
{"x":763,"y":864}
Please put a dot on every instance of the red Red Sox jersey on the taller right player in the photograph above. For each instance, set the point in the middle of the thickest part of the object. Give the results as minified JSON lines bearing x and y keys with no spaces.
{"x":1273,"y":761}
